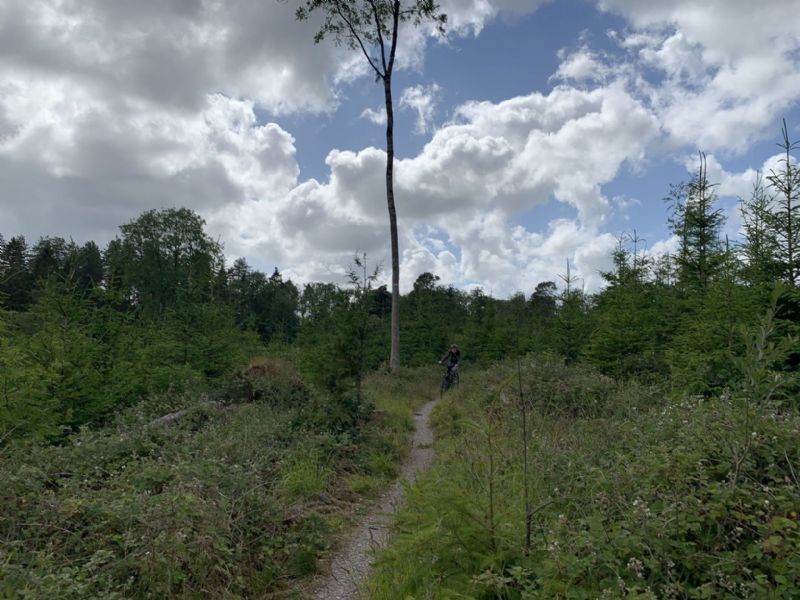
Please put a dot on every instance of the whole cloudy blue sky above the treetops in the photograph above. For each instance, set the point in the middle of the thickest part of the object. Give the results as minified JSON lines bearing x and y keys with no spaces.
{"x":536,"y":132}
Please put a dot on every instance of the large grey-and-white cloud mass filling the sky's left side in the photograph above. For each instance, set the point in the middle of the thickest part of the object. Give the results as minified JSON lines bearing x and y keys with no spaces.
{"x":108,"y":108}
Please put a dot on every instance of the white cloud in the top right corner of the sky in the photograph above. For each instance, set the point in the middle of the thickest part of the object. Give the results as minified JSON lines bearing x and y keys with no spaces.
{"x":719,"y":91}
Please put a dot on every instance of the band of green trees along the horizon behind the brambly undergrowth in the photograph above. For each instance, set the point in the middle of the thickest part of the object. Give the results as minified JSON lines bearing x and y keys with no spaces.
{"x":85,"y":330}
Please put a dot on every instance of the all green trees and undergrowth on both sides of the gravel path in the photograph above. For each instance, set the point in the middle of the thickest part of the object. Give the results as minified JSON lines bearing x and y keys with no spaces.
{"x":659,"y":454}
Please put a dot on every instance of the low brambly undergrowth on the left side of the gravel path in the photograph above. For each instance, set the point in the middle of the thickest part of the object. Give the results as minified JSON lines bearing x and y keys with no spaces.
{"x":240,"y":496}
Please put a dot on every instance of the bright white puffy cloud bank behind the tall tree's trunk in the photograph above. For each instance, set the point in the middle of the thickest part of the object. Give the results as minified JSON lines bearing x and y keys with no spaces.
{"x":462,"y":193}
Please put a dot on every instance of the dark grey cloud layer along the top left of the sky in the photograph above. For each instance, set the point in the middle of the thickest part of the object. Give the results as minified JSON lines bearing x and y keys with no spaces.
{"x":172,"y":54}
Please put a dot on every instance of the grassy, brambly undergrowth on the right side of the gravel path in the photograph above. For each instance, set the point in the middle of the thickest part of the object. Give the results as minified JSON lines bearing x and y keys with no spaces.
{"x":629,"y":494}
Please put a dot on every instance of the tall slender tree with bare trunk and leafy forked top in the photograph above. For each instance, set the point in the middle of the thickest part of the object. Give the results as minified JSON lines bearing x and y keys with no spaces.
{"x":372,"y":27}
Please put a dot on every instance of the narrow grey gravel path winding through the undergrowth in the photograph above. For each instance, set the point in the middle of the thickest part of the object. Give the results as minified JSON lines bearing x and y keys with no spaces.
{"x":351,"y":565}
